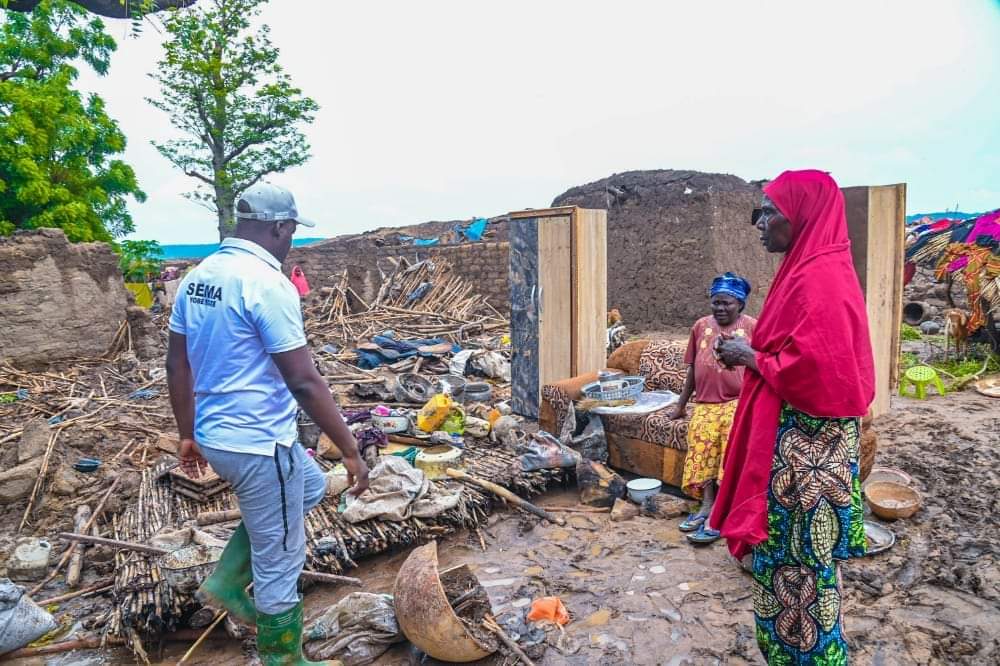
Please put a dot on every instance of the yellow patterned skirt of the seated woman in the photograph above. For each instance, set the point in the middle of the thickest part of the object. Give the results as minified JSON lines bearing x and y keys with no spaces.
{"x":708,"y":433}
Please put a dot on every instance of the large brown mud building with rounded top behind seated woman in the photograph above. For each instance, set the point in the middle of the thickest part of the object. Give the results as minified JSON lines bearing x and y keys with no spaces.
{"x":669,"y":233}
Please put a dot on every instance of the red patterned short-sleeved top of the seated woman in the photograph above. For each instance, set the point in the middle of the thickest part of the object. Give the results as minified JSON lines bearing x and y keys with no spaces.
{"x":713,"y":381}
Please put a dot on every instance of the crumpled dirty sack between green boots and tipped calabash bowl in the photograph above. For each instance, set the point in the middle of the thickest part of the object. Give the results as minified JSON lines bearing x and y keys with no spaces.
{"x":357,"y":630}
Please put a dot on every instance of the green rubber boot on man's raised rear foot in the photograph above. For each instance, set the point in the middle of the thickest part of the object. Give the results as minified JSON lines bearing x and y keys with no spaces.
{"x":226,"y":588}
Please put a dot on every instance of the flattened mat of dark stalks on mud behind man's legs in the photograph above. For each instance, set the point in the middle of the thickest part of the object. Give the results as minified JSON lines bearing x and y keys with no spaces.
{"x":145,"y":606}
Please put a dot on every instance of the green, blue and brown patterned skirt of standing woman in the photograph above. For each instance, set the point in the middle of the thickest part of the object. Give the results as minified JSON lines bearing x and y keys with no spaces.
{"x":815,"y":517}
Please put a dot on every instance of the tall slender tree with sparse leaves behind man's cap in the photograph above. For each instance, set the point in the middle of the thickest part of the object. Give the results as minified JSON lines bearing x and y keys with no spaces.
{"x":222,"y":86}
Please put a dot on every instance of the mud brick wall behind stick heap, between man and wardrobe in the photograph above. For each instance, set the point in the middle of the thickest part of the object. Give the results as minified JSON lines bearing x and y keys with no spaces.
{"x":484,"y":264}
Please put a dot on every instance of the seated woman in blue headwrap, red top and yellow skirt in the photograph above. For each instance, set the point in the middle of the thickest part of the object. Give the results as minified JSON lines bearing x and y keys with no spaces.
{"x":715,"y":390}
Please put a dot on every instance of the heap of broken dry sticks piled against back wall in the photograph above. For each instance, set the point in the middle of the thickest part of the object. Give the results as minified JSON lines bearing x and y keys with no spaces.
{"x":420,"y":300}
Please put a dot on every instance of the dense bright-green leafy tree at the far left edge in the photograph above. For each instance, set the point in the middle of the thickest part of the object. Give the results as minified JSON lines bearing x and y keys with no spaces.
{"x":57,"y":149}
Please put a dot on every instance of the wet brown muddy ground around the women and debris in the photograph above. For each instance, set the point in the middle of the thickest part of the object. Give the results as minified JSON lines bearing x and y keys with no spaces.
{"x":639,"y":594}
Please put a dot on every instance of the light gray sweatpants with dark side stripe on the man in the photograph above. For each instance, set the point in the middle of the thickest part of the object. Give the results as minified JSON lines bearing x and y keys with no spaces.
{"x":274,"y":495}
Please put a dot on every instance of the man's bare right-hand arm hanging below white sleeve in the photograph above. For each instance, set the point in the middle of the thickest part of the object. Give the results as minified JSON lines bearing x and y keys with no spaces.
{"x":312,"y":393}
